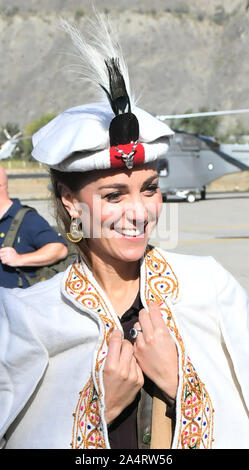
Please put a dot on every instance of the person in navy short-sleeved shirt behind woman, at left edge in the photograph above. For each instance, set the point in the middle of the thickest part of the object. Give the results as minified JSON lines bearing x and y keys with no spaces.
{"x":36,"y":244}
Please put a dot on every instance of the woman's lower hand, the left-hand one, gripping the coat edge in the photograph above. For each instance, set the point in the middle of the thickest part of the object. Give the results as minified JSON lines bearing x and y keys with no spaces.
{"x":122,"y":376}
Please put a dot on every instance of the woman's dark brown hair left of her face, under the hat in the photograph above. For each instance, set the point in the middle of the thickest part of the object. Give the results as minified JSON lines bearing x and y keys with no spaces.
{"x":74,"y":181}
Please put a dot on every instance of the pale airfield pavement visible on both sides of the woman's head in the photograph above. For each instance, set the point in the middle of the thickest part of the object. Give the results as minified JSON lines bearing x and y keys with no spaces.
{"x":217,"y":226}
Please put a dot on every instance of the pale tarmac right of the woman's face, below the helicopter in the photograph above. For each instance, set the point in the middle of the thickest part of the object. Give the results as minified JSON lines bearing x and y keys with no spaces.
{"x":217,"y":227}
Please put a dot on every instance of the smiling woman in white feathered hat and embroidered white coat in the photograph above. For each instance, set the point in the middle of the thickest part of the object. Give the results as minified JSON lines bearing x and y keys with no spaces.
{"x":129,"y":339}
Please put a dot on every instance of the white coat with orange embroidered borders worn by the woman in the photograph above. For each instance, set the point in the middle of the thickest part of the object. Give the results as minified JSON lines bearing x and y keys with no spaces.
{"x":54,"y":339}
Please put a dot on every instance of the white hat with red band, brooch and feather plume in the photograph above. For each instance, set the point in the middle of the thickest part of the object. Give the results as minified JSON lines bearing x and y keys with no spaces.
{"x":112,"y":134}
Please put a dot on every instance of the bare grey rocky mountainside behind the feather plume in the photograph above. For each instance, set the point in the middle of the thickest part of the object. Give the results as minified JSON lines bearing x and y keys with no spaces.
{"x":181,"y":55}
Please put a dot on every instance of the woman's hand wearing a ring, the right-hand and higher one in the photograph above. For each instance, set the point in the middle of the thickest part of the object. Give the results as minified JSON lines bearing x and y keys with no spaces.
{"x":155,"y":350}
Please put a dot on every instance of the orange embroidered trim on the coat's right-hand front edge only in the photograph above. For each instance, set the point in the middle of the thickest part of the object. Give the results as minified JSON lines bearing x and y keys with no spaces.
{"x":196,"y":421}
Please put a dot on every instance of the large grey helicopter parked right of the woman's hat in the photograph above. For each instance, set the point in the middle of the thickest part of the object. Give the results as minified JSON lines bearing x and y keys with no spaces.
{"x":193,"y":161}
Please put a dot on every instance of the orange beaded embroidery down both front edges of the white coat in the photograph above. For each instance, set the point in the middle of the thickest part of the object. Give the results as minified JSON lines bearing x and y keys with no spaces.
{"x":196,"y":420}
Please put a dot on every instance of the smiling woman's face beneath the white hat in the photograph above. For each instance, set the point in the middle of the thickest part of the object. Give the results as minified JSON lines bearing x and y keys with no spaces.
{"x":119,"y":210}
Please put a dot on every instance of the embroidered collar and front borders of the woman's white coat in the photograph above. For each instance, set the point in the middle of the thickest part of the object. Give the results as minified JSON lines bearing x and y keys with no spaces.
{"x":159,"y":283}
